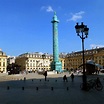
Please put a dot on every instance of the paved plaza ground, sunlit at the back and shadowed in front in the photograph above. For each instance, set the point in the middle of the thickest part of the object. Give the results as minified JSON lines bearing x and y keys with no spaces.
{"x":35,"y":90}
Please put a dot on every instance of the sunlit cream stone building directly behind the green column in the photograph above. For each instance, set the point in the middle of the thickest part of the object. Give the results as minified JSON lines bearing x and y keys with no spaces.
{"x":34,"y":61}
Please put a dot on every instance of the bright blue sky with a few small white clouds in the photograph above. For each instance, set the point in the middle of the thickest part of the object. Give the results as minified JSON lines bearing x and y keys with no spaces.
{"x":25,"y":25}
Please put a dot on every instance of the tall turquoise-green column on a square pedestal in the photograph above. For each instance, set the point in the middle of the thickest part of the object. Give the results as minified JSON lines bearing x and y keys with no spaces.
{"x":56,"y":64}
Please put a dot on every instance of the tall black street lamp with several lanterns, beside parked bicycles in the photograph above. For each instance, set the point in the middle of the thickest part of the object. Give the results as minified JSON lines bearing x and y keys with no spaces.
{"x":84,"y":34}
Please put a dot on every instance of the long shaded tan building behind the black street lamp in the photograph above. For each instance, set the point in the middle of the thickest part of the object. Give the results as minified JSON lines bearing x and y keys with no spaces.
{"x":74,"y":59}
